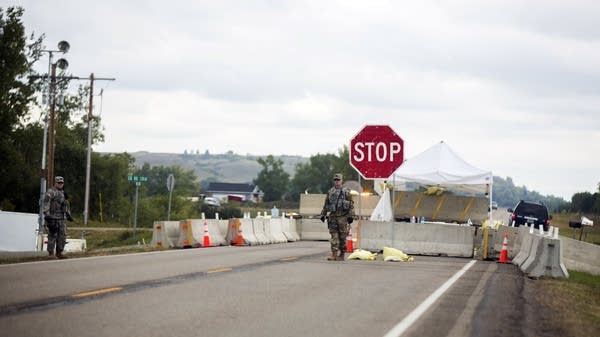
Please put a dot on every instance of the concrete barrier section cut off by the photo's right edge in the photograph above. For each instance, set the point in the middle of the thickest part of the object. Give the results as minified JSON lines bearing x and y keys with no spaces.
{"x":581,"y":256}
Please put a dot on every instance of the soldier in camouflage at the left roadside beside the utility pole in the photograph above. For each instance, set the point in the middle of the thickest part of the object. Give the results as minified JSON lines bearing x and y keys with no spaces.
{"x":55,"y":211}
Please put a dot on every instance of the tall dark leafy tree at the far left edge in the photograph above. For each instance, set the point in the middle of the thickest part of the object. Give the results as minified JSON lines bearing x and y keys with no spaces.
{"x":16,"y":94}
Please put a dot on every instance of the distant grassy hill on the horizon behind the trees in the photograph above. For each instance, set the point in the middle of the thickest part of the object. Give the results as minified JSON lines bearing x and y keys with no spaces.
{"x":228,"y":167}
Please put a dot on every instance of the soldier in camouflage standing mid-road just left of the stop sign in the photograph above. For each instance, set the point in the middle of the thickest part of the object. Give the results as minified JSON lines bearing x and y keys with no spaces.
{"x":339,"y":211}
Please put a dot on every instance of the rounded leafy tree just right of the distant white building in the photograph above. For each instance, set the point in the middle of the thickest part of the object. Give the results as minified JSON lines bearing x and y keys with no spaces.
{"x":272,"y":179}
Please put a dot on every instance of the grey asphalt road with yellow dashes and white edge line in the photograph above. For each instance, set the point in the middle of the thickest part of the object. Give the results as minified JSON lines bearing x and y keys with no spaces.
{"x":275,"y":290}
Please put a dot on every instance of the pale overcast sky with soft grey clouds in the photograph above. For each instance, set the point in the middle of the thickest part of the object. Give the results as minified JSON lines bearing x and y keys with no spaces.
{"x":511,"y":86}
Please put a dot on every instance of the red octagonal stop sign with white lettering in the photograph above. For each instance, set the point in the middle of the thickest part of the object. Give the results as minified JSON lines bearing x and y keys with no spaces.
{"x":376,"y":151}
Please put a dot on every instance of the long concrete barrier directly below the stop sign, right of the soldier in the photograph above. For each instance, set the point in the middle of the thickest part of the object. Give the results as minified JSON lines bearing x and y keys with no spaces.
{"x":417,"y":238}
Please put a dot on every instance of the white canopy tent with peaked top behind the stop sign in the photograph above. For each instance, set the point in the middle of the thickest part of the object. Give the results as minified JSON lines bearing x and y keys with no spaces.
{"x":440,"y":165}
